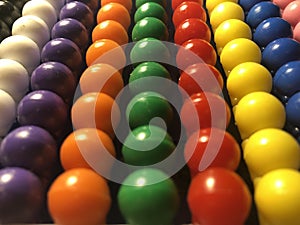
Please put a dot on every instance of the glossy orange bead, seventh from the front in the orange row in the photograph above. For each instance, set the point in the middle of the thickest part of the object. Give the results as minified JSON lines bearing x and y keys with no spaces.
{"x":116,"y":12}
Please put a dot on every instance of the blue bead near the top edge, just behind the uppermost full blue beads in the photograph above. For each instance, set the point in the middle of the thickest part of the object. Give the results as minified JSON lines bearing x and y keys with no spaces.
{"x":261,"y":11}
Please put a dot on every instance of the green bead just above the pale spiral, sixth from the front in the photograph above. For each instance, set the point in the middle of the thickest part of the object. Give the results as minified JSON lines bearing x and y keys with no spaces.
{"x":150,"y":27}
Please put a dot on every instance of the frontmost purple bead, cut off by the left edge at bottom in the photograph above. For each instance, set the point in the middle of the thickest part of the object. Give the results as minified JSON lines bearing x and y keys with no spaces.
{"x":21,"y":196}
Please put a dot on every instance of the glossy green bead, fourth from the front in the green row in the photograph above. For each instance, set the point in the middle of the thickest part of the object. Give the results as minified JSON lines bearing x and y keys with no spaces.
{"x":150,"y":71}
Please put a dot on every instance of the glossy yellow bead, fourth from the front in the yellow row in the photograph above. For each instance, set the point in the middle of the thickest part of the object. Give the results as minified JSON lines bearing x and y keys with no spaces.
{"x":246,"y":78}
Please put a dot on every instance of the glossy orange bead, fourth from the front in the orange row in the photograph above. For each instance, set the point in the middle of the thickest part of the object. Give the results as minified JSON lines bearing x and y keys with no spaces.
{"x":103,"y":78}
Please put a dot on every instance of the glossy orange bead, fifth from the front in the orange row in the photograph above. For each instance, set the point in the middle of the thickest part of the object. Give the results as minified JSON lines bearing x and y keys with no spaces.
{"x":106,"y":51}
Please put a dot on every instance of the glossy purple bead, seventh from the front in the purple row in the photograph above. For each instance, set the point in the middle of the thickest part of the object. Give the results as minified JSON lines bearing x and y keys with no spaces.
{"x":79,"y":11}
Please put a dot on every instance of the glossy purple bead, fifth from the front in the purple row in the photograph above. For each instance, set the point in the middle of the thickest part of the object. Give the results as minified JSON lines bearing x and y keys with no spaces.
{"x":64,"y":51}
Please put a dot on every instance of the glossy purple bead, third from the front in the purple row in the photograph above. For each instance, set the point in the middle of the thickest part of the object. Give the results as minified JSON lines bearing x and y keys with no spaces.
{"x":45,"y":109}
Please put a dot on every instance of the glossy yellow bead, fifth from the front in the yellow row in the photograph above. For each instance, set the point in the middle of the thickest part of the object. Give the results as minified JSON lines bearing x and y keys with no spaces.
{"x":238,"y":51}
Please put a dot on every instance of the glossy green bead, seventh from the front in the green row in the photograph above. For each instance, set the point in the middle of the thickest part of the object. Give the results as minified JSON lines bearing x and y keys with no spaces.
{"x":150,"y":9}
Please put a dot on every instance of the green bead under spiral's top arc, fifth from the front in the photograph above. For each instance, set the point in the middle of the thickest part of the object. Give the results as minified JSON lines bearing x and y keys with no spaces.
{"x":149,"y":49}
